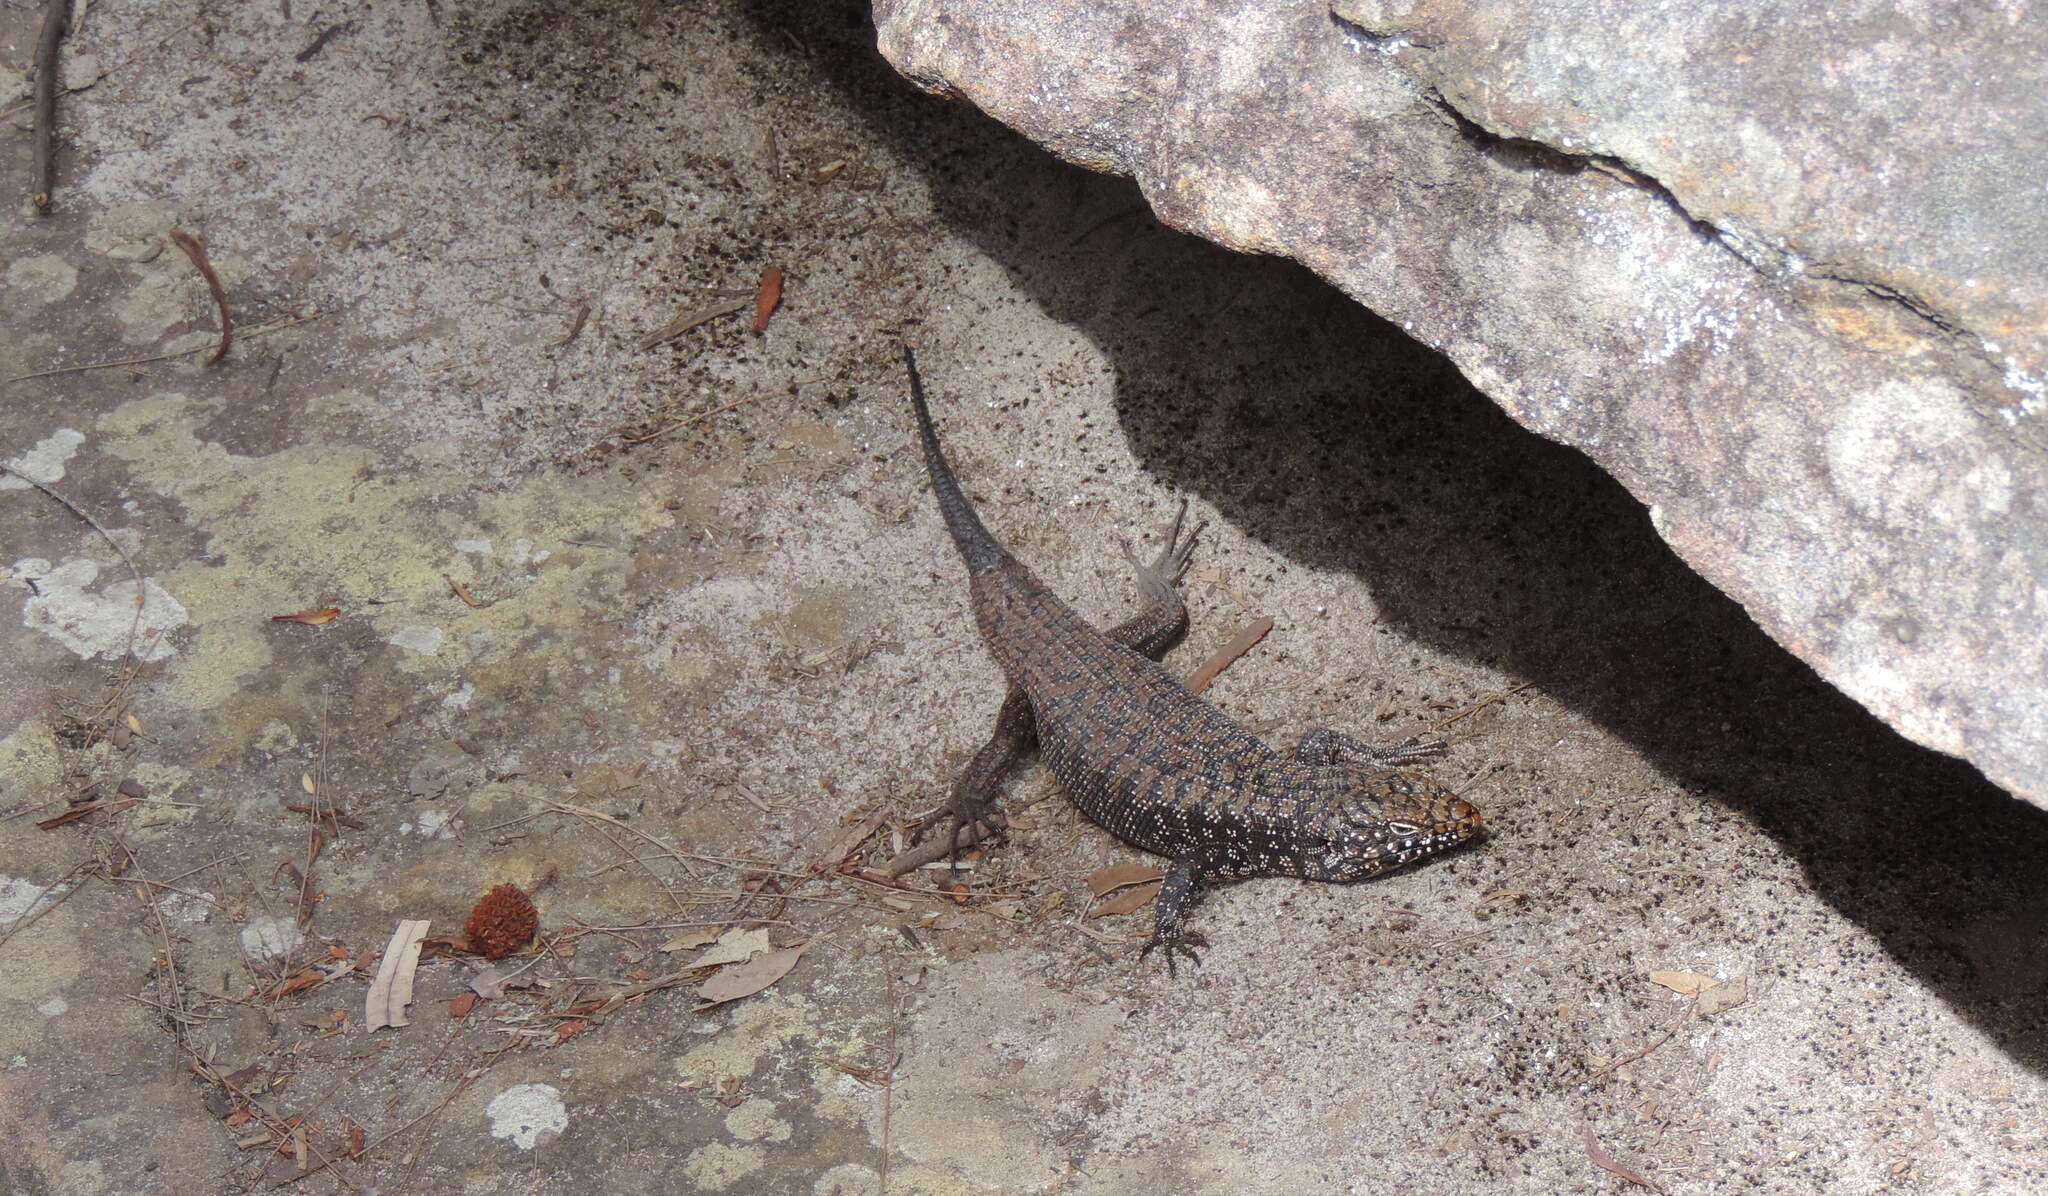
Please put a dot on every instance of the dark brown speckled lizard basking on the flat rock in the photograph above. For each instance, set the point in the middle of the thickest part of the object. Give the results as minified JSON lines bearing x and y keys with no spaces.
{"x":1160,"y":767}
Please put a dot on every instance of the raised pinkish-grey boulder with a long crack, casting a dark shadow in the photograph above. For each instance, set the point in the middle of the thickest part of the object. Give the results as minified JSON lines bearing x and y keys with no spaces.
{"x":1783,"y":273}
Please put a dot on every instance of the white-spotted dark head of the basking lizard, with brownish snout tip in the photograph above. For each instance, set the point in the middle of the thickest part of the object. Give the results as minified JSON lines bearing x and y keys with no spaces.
{"x":1390,"y":820}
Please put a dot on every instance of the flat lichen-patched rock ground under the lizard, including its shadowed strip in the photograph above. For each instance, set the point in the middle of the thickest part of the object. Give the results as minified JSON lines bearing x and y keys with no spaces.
{"x":716,"y":611}
